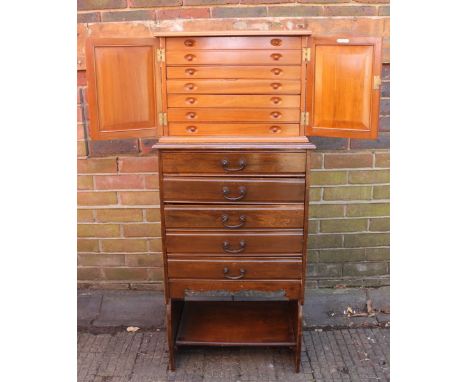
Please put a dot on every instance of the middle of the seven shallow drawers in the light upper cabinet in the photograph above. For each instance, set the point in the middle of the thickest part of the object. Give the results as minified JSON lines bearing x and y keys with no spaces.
{"x":234,"y":86}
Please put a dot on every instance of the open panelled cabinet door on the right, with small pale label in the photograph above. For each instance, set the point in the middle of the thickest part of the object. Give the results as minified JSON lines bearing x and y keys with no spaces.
{"x":343,"y":87}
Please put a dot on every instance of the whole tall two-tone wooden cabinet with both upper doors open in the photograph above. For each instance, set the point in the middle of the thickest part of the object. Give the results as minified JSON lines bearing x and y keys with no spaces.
{"x":232,"y":112}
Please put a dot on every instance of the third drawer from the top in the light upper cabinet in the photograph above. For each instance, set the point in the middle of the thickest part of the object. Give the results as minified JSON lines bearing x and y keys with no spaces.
{"x":257,"y":72}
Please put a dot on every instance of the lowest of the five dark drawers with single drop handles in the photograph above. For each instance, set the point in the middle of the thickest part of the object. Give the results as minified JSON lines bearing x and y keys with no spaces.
{"x":235,"y":269}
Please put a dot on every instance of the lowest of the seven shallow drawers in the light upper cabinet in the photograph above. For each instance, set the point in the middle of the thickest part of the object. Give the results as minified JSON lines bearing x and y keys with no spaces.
{"x":230,"y":129}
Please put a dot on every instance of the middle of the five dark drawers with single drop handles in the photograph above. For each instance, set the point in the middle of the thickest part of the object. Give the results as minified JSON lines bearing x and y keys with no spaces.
{"x":234,"y":217}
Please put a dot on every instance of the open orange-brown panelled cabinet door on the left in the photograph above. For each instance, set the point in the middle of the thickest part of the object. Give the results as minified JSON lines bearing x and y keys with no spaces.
{"x":123,"y":77}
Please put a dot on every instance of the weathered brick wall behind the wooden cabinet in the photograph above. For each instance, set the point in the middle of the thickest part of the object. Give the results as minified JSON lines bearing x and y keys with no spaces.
{"x":118,"y":200}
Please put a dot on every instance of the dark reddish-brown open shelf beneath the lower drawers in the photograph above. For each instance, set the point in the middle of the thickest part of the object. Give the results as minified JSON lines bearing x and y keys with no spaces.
{"x":236,"y":323}
